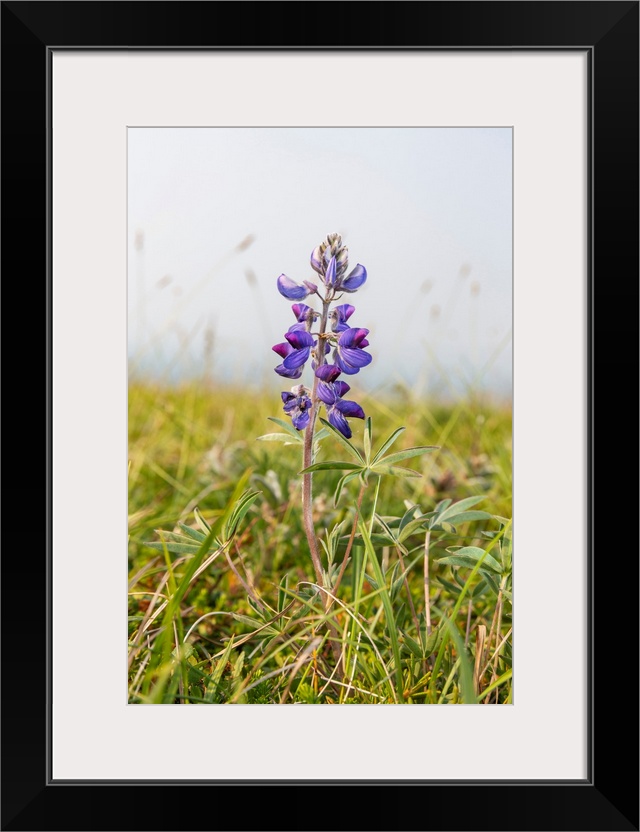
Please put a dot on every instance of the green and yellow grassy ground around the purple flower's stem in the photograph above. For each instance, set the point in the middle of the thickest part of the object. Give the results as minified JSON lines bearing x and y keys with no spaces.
{"x":224,"y":606}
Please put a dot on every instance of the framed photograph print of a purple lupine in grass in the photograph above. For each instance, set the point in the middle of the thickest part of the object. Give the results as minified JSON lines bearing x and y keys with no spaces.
{"x":320,"y":415}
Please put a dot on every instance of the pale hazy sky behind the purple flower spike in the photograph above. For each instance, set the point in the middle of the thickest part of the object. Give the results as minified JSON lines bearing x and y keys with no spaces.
{"x":216,"y":214}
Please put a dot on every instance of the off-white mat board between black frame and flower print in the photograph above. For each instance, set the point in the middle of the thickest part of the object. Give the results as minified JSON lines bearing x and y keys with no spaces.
{"x":96,"y":734}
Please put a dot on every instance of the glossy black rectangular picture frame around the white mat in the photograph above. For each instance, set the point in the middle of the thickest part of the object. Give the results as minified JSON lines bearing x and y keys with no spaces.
{"x":608,"y":798}
